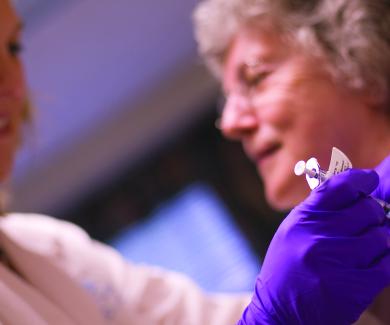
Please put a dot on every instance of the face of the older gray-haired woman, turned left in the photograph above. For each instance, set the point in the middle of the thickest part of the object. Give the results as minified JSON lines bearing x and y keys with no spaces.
{"x":284,"y":107}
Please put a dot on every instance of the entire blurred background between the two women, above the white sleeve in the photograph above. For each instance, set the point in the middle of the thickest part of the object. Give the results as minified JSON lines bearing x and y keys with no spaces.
{"x":123,"y":140}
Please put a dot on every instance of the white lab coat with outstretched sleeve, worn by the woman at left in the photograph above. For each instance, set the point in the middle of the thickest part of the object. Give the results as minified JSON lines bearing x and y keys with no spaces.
{"x":64,"y":277}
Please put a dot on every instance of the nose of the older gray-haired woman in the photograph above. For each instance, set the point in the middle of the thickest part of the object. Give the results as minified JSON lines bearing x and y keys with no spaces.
{"x":238,"y":118}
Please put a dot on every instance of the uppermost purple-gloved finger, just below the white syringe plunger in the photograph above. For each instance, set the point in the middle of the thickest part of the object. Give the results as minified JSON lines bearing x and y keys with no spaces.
{"x":343,"y":189}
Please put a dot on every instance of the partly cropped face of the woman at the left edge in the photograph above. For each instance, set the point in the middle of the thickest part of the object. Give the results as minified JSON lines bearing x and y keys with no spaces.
{"x":12,"y":87}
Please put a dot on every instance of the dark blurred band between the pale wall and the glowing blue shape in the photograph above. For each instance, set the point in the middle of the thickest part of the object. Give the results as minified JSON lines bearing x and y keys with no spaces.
{"x":199,"y":154}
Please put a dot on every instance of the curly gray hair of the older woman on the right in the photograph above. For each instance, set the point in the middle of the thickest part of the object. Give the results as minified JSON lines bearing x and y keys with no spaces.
{"x":352,"y":35}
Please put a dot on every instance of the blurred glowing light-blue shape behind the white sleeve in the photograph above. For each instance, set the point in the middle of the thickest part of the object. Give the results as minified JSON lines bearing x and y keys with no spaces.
{"x":193,"y":233}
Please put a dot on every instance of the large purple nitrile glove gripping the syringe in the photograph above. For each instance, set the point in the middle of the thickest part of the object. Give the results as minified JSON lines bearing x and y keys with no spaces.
{"x":328,"y":260}
